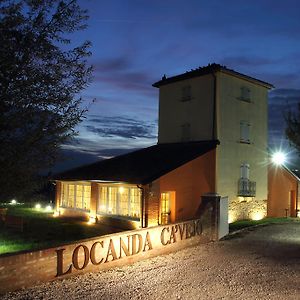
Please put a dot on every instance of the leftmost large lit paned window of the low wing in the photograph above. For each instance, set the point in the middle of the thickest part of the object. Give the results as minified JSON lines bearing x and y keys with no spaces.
{"x":76,"y":196}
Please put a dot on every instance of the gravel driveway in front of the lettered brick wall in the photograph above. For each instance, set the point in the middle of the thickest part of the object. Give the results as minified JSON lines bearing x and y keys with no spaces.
{"x":261,"y":263}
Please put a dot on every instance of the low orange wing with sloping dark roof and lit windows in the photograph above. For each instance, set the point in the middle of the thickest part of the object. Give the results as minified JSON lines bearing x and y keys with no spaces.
{"x":156,"y":185}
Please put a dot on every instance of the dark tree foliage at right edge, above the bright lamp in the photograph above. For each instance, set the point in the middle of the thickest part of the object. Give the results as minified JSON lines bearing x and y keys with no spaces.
{"x":292,"y":130}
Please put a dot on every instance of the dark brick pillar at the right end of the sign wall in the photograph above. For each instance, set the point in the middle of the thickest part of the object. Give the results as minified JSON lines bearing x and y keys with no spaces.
{"x":209,"y":213}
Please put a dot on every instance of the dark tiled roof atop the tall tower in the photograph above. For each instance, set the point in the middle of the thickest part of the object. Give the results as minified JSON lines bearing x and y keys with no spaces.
{"x":209,"y":69}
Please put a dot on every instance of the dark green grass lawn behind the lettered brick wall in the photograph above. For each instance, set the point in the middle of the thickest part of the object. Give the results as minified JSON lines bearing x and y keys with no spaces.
{"x":42,"y":230}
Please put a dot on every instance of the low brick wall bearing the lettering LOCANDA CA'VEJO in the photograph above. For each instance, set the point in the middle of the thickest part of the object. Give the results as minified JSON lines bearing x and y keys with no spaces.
{"x":31,"y":268}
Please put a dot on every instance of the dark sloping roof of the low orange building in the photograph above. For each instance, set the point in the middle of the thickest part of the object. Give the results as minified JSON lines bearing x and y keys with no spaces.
{"x":142,"y":166}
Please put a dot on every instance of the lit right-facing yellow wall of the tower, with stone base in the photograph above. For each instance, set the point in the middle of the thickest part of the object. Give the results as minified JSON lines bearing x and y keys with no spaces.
{"x":231,"y":110}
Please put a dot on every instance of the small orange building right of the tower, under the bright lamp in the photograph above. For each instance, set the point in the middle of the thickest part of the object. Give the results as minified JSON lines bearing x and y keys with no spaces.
{"x":283,"y":187}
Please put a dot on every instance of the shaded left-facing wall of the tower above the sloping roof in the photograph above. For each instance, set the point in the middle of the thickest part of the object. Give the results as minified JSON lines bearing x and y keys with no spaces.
{"x":173,"y":112}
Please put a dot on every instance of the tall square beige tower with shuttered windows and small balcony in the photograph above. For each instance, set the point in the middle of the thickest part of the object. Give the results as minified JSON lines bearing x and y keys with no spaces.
{"x":231,"y":107}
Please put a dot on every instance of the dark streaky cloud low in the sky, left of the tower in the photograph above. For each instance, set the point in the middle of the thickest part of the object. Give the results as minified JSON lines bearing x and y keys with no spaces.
{"x":122,"y":127}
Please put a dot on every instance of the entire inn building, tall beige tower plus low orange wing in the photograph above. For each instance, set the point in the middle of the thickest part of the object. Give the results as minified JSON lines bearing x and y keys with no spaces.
{"x":212,"y":139}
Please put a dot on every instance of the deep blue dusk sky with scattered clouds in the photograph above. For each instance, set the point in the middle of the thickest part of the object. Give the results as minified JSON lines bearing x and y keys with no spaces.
{"x":136,"y":42}
